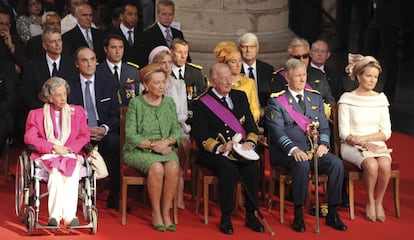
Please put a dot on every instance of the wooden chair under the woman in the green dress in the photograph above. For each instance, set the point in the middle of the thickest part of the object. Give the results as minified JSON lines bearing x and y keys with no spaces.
{"x":131,"y":176}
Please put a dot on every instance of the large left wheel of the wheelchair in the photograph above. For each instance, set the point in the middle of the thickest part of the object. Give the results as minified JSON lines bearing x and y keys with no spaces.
{"x":21,"y":185}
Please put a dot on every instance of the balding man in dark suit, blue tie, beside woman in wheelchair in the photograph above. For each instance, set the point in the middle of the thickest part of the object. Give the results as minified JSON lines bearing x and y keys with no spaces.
{"x":97,"y":94}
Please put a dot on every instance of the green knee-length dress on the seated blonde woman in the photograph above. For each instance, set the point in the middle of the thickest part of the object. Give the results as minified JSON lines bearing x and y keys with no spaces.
{"x":145,"y":121}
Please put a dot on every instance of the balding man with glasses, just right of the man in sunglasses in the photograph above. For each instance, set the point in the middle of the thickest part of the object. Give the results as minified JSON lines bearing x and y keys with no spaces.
{"x":319,"y":56}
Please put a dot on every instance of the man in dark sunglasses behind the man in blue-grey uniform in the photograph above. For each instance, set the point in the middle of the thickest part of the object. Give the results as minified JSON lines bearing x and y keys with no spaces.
{"x":299,"y":48}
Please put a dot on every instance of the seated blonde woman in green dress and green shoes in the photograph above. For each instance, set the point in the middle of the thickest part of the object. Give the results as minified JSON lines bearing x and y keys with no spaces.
{"x":152,"y":136}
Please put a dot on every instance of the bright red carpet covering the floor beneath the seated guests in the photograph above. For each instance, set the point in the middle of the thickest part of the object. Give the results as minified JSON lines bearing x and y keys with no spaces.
{"x":191,"y":225}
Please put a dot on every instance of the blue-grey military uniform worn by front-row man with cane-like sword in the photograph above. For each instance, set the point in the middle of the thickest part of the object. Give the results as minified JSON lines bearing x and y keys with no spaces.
{"x":284,"y":134}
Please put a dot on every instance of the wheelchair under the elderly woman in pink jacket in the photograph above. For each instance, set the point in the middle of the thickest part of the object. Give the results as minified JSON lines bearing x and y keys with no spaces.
{"x":29,"y":176}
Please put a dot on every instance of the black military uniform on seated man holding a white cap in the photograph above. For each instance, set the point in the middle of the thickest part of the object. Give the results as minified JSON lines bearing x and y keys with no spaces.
{"x":207,"y":137}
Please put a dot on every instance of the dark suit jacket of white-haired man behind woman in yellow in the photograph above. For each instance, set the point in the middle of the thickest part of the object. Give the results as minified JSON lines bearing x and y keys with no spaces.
{"x":264,"y":73}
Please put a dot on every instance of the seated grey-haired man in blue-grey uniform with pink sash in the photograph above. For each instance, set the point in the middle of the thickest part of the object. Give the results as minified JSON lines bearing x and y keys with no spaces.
{"x":289,"y":114}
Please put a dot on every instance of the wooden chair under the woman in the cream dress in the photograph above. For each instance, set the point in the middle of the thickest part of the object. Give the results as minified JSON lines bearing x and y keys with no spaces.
{"x":353,"y":173}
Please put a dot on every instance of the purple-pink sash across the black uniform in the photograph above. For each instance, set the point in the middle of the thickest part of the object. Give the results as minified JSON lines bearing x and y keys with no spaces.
{"x":223,"y":113}
